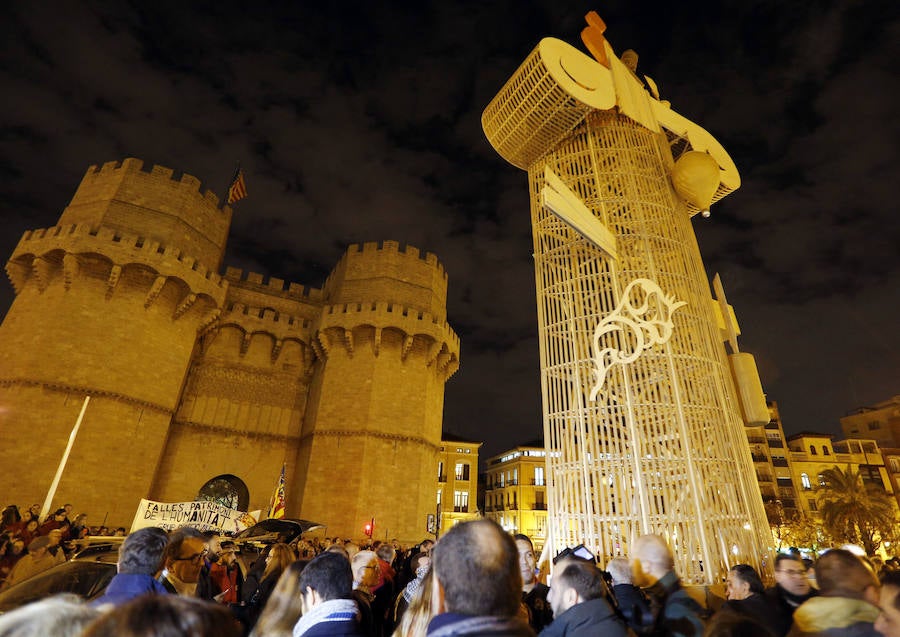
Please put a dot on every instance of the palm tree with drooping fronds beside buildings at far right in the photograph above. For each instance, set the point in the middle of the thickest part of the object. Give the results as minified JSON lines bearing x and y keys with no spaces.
{"x":855,"y":511}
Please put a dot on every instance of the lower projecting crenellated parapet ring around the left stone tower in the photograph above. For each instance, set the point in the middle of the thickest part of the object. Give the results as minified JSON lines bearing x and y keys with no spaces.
{"x":120,"y":247}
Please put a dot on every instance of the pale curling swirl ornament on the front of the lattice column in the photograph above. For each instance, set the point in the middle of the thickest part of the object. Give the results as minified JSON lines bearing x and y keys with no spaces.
{"x":642,"y":326}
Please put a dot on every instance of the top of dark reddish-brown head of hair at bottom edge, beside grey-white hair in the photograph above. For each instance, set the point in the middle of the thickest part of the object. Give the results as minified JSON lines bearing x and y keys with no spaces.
{"x":165,"y":616}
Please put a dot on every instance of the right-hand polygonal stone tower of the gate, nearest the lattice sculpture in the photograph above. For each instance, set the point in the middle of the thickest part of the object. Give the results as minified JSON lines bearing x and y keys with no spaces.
{"x":388,"y":360}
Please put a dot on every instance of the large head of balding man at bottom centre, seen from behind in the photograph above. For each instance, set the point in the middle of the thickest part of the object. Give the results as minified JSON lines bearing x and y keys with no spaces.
{"x":477,"y":587}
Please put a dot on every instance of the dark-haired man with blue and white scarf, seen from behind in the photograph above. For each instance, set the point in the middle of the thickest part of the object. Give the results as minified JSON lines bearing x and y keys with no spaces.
{"x":326,"y":588}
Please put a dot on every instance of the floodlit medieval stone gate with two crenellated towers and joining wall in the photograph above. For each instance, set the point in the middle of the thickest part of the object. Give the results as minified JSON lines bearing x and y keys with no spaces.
{"x":205,"y":384}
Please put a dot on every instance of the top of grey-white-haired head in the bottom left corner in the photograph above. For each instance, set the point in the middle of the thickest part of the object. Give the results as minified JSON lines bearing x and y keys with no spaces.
{"x":60,"y":616}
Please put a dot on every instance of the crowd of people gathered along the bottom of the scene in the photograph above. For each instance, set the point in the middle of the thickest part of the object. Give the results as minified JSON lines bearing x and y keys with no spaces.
{"x":476,"y":580}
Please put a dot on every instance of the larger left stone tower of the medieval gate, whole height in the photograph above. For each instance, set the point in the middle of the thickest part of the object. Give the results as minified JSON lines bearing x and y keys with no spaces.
{"x":108,"y":303}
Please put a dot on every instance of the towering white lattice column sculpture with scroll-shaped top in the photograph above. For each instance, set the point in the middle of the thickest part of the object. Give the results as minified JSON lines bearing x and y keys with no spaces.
{"x":641,"y":422}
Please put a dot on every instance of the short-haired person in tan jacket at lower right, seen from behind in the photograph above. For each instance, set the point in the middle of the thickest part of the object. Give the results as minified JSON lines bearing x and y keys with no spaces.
{"x":847,"y":604}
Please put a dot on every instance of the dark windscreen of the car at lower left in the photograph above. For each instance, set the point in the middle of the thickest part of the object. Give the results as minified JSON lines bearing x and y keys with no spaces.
{"x":85,"y":579}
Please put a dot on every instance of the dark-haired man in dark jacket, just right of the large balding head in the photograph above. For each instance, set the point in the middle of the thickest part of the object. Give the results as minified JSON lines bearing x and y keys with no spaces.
{"x":578,"y":596}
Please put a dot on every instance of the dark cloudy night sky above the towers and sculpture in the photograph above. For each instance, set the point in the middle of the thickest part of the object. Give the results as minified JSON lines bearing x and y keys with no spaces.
{"x":361,"y":122}
